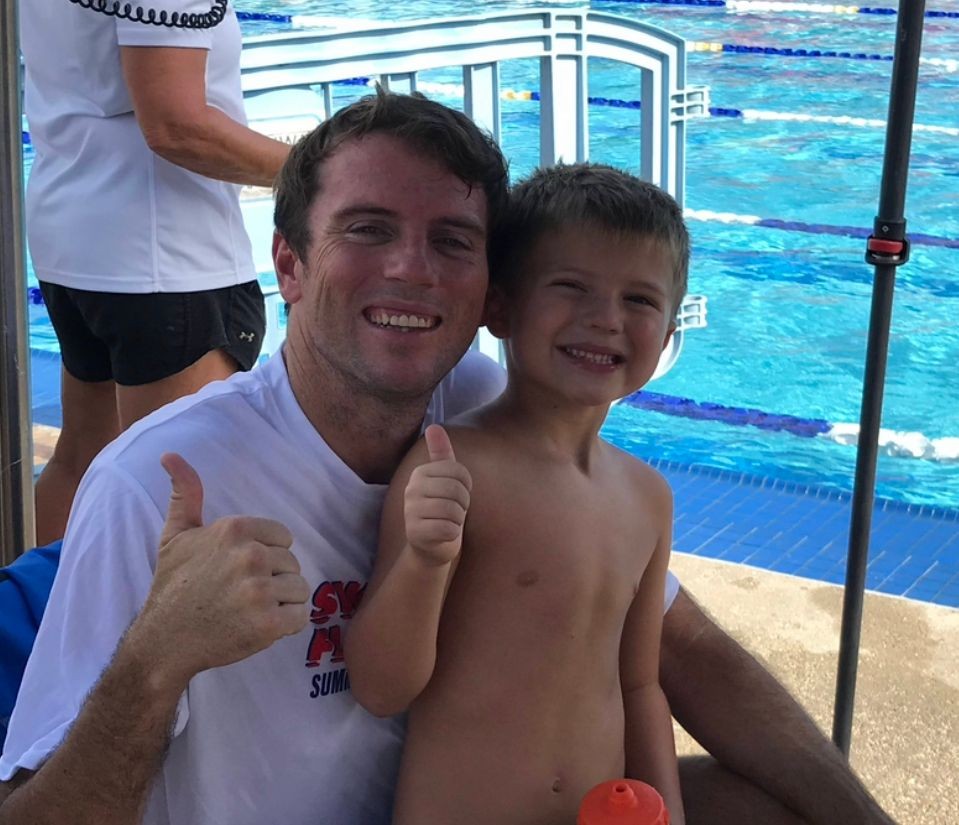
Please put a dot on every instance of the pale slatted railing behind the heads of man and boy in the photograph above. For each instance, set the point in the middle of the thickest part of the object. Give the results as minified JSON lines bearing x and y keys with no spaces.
{"x":289,"y":80}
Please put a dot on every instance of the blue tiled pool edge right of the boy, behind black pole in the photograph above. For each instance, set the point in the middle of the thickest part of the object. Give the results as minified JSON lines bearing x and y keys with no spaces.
{"x":803,"y":529}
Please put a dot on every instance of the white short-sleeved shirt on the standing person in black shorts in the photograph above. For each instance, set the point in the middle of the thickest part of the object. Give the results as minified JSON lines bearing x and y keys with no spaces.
{"x":103,"y":212}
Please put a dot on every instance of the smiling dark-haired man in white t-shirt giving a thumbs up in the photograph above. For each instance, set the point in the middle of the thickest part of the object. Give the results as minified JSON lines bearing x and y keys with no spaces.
{"x":216,"y":705}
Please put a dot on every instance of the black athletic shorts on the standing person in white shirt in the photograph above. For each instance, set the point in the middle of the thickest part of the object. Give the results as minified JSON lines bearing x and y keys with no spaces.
{"x":136,"y":339}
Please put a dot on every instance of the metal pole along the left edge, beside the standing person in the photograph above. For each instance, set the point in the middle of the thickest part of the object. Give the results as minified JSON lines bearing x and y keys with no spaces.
{"x":16,"y":439}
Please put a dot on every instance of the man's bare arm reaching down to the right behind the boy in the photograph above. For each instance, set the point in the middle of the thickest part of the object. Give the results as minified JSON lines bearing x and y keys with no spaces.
{"x":746,"y":720}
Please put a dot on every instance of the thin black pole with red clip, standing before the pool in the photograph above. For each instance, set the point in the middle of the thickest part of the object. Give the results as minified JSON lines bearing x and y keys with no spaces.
{"x":887,"y":250}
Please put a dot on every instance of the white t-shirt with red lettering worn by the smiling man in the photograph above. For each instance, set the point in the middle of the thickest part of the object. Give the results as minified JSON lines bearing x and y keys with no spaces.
{"x":278,"y":736}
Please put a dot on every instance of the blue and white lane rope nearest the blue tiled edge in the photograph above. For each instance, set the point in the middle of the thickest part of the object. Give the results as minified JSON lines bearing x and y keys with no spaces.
{"x":891,"y":442}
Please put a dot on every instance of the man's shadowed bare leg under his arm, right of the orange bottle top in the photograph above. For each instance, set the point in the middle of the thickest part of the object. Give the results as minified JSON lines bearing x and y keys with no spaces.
{"x":714,"y":796}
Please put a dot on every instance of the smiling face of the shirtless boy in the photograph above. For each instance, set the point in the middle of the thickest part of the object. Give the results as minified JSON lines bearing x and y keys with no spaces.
{"x":589,"y":315}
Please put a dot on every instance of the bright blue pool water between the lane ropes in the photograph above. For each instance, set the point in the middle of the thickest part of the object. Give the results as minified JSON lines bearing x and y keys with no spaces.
{"x":788,"y":311}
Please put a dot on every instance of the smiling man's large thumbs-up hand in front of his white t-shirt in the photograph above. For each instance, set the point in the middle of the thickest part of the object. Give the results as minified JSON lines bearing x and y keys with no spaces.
{"x":220,"y":592}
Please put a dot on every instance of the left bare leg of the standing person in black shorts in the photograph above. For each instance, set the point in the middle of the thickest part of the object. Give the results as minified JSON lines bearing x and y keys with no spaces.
{"x":89,"y":423}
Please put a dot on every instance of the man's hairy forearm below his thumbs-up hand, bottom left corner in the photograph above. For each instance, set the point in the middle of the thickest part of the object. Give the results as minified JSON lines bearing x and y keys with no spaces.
{"x":102,"y":772}
